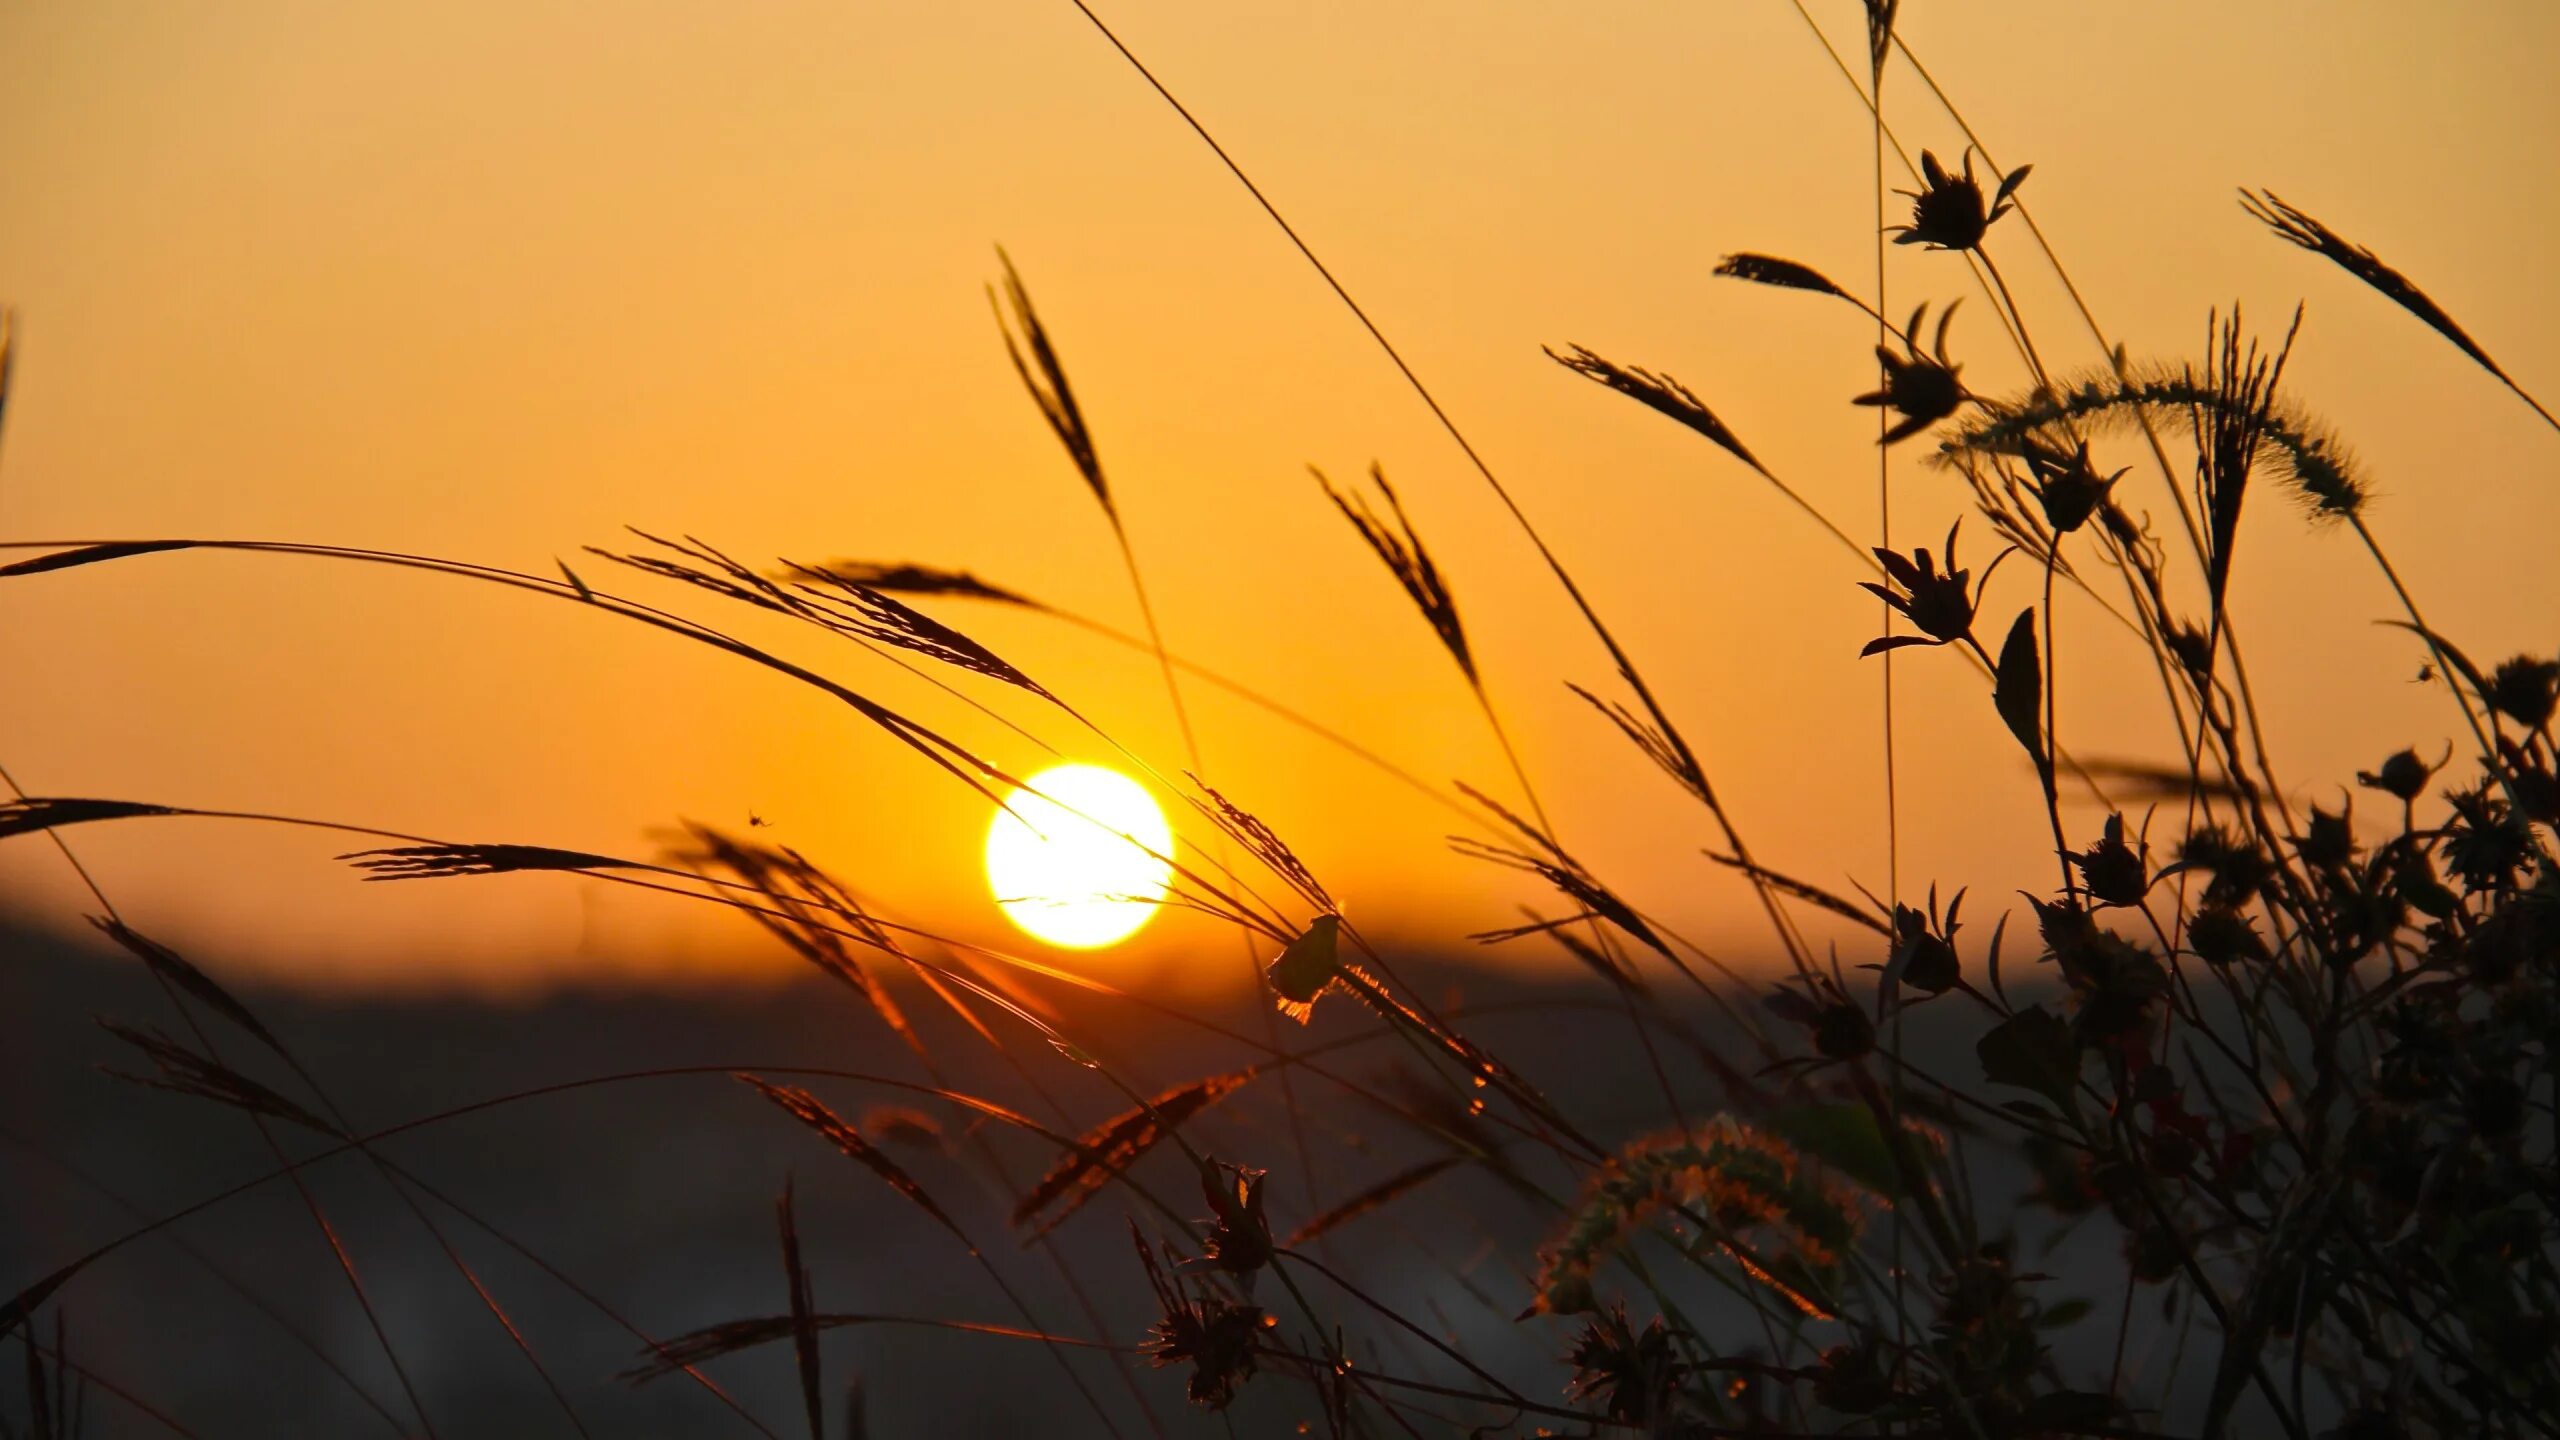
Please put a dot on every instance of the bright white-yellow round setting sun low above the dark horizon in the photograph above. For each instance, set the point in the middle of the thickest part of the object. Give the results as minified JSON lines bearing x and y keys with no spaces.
{"x":1064,"y":865}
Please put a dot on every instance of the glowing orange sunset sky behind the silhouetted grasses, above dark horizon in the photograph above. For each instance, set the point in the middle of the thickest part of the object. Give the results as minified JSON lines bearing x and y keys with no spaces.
{"x":495,"y":281}
